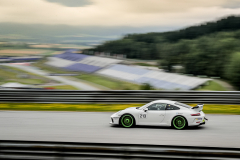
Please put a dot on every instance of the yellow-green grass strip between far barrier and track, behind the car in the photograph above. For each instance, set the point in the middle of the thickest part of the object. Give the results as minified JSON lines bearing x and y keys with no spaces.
{"x":208,"y":108}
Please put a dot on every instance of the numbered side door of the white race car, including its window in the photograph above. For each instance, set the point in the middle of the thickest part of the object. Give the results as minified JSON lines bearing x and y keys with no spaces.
{"x":154,"y":114}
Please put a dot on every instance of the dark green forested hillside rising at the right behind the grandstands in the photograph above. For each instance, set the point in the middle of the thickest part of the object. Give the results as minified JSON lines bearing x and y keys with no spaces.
{"x":211,"y":49}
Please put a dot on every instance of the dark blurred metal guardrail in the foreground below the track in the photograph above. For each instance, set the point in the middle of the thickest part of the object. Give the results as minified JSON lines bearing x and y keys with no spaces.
{"x":70,"y":150}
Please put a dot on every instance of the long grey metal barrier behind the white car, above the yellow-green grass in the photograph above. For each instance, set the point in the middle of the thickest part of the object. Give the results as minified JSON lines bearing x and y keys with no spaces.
{"x":117,"y":96}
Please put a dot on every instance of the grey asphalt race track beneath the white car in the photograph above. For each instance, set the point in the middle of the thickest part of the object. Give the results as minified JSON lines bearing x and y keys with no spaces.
{"x":220,"y":131}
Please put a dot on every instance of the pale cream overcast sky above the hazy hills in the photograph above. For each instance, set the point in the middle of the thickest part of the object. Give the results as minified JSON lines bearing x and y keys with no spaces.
{"x":116,"y":13}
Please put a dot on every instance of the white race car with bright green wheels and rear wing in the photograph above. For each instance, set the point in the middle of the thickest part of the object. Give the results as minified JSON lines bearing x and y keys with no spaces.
{"x":161,"y":113}
